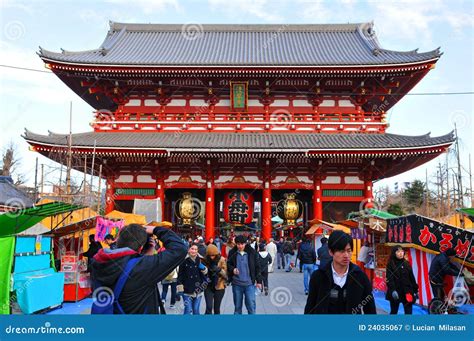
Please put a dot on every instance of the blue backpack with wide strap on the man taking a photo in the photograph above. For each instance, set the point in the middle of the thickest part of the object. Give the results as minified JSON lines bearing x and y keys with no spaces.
{"x":107,"y":305}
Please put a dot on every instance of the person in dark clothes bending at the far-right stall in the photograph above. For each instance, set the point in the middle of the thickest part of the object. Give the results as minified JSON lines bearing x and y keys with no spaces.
{"x":441,"y":266}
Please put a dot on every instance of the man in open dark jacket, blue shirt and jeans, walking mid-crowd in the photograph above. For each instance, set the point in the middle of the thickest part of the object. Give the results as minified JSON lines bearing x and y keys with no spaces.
{"x":243,"y":271}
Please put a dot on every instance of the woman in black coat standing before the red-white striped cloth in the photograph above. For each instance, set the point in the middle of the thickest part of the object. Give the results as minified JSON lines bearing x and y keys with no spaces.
{"x":401,"y":283}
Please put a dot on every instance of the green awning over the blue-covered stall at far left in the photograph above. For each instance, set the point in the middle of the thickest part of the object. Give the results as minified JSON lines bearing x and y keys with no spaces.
{"x":17,"y":221}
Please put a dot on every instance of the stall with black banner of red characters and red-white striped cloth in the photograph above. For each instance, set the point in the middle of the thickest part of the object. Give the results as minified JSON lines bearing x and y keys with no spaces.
{"x":425,"y":238}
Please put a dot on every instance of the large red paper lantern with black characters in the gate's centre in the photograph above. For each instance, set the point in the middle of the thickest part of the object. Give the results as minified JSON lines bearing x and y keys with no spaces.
{"x":238,"y":207}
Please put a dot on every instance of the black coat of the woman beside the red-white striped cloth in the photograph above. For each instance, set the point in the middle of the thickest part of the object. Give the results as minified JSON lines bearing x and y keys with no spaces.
{"x":400,"y":278}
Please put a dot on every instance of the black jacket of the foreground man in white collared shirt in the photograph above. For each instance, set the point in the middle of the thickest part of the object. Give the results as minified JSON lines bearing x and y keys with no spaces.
{"x":358,"y":293}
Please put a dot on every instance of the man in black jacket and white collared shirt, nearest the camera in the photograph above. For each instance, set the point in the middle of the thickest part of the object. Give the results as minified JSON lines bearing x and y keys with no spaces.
{"x":342,"y":287}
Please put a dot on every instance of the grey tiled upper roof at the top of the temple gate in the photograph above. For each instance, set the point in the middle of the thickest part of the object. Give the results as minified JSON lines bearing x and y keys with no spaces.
{"x":240,"y":45}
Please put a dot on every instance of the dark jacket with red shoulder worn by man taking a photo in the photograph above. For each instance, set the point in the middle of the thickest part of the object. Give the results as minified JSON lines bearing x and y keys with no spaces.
{"x":140,"y":294}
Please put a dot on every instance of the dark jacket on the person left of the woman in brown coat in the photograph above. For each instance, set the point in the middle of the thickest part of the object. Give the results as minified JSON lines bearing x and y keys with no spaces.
{"x":193,"y":279}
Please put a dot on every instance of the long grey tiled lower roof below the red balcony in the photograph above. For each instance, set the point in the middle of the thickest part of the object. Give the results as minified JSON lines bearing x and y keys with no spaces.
{"x":246,"y":141}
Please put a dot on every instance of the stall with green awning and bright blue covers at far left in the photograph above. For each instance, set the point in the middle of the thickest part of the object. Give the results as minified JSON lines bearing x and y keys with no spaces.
{"x":26,"y":261}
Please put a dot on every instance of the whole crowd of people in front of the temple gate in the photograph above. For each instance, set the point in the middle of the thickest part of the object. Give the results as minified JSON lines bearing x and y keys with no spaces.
{"x":192,"y":269}
